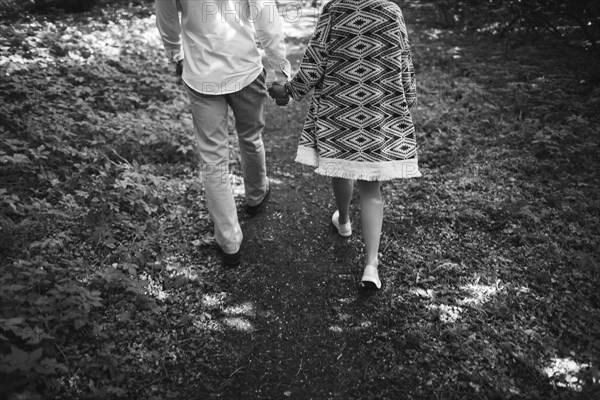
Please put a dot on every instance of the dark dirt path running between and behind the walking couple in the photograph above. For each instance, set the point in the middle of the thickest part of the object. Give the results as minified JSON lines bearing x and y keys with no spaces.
{"x":297,"y":273}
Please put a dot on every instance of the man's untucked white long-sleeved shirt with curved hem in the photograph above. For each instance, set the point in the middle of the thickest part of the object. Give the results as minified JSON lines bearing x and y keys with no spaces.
{"x":218,"y":39}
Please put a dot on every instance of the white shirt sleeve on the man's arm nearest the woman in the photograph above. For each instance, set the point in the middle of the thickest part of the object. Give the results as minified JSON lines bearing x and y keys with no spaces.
{"x":269,"y":31}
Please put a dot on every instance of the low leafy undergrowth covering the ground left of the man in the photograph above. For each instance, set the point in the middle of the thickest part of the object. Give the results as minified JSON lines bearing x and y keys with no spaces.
{"x":88,"y":145}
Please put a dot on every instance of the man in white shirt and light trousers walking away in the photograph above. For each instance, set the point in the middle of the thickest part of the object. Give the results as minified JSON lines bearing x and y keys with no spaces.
{"x":214,"y":48}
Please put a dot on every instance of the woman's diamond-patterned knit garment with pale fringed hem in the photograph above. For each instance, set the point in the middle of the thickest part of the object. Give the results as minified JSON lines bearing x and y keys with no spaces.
{"x":359,"y":64}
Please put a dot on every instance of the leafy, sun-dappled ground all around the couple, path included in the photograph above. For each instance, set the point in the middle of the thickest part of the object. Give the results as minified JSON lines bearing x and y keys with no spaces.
{"x":111,"y":289}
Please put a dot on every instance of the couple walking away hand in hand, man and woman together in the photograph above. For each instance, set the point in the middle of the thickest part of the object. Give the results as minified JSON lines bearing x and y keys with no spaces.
{"x":358,"y":129}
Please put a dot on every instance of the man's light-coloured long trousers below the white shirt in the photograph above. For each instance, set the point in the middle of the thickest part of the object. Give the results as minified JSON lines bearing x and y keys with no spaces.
{"x":210,"y":123}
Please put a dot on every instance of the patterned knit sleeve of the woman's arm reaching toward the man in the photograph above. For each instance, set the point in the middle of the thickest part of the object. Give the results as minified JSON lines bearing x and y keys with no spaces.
{"x":314,"y":61}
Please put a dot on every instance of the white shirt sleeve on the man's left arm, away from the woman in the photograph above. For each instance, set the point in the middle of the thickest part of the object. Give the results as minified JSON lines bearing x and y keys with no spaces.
{"x":169,"y":27}
